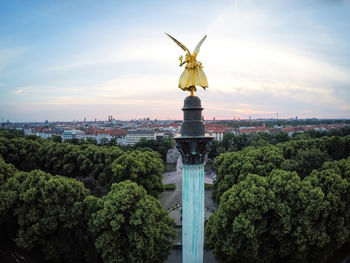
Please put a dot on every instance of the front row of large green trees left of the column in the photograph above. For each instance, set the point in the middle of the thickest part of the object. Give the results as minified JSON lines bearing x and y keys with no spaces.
{"x":56,"y":217}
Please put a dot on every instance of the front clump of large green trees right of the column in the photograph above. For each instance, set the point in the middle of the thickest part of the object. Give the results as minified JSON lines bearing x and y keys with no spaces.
{"x":283,"y":218}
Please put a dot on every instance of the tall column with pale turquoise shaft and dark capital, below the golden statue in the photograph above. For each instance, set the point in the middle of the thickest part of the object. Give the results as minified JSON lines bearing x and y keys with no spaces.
{"x":192,"y":145}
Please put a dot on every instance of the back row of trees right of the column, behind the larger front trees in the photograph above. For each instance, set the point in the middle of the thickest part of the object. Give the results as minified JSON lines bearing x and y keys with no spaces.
{"x":301,"y":156}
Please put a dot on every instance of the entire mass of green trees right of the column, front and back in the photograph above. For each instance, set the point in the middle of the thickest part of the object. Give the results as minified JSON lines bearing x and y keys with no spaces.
{"x":287,"y":202}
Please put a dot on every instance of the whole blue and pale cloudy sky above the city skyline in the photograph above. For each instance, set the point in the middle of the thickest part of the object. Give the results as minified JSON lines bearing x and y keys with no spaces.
{"x":70,"y":60}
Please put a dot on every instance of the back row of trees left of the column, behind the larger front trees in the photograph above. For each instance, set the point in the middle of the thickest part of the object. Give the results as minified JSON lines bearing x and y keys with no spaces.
{"x":86,"y":162}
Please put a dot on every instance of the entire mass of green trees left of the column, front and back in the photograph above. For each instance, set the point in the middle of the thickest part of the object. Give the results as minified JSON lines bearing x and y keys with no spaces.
{"x":56,"y":217}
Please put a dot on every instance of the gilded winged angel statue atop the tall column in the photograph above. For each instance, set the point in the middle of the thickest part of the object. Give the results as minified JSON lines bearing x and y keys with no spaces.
{"x":193,"y":74}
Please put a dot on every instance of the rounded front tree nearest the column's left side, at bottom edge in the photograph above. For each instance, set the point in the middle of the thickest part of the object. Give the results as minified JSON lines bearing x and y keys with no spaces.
{"x":131,"y":226}
